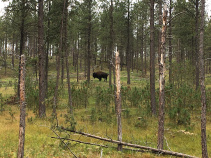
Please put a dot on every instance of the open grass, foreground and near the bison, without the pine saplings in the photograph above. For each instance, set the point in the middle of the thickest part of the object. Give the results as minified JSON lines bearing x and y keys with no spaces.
{"x":136,"y":130}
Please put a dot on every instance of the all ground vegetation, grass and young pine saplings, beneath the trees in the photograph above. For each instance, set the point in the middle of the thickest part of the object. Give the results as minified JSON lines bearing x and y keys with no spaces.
{"x":94,"y":113}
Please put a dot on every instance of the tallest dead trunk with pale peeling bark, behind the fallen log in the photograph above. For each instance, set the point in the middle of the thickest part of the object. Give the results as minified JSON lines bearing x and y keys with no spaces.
{"x":162,"y":82}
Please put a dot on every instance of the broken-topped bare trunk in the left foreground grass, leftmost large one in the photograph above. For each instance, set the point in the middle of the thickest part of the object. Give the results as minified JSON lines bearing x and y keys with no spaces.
{"x":22,"y":109}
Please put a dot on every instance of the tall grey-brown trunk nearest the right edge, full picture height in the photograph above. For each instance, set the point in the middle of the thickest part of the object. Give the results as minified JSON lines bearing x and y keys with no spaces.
{"x":202,"y":84}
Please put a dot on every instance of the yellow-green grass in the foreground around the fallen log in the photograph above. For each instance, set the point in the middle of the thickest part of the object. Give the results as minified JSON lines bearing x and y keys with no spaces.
{"x":39,"y":144}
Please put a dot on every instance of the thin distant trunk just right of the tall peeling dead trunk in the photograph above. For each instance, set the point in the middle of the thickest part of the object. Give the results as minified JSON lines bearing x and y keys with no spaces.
{"x":170,"y":45}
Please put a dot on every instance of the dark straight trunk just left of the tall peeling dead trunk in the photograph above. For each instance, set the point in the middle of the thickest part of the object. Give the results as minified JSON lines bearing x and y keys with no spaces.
{"x":152,"y":59}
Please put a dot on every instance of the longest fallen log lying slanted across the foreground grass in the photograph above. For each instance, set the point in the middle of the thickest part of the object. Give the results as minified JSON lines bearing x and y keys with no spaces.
{"x":154,"y":150}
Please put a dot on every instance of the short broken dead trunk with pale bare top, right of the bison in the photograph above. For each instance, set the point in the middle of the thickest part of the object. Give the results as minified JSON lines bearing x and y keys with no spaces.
{"x":118,"y":100}
